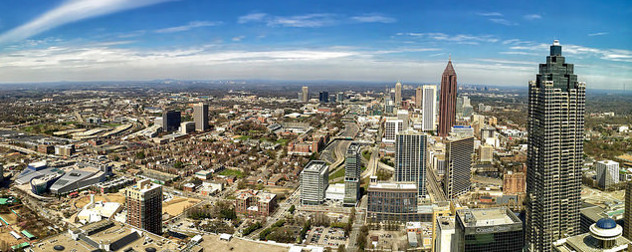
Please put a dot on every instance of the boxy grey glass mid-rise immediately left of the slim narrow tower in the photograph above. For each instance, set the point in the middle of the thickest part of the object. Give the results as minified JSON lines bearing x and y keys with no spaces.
{"x":314,"y":181}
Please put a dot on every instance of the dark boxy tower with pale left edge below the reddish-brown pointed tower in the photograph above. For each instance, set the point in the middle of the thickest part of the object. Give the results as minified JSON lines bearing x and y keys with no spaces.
{"x":459,"y":150}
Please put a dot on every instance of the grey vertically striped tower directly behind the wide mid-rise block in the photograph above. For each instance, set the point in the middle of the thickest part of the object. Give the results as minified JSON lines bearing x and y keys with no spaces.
{"x":410,"y":159}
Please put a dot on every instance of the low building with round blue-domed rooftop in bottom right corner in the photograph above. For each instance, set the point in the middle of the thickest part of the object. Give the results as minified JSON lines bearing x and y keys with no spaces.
{"x":605,"y":235}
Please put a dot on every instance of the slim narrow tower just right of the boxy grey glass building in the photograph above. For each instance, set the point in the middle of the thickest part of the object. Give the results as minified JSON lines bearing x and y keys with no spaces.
{"x":353,"y":169}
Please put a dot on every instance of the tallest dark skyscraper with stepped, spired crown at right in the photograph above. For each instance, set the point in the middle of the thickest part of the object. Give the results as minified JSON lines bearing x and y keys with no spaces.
{"x":555,"y":152}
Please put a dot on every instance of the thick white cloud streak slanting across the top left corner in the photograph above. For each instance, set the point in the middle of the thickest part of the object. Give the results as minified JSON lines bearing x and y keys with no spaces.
{"x":69,"y":12}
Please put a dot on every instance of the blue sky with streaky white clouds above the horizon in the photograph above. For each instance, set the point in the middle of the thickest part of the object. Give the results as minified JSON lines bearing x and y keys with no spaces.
{"x":489,"y":42}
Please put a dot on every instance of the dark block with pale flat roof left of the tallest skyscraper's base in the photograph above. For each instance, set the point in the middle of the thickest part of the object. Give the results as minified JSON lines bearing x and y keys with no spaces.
{"x":488,"y":230}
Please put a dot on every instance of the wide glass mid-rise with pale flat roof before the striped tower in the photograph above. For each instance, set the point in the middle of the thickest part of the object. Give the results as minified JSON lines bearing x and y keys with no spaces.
{"x":394,"y":201}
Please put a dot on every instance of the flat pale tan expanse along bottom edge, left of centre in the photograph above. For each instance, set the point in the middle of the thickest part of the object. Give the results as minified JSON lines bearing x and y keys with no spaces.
{"x":212,"y":243}
